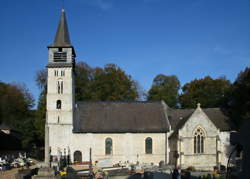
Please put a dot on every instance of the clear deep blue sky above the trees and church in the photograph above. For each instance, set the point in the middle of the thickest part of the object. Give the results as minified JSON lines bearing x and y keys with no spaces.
{"x":188,"y":38}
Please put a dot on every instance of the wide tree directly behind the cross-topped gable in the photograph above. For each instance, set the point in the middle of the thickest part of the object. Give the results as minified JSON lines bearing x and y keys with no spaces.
{"x":207,"y":91}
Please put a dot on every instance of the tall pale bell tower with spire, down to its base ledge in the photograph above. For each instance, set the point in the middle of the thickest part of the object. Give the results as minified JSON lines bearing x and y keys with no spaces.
{"x":60,"y":84}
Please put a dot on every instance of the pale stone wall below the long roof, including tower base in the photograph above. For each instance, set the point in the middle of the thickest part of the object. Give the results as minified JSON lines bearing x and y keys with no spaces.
{"x":126,"y":146}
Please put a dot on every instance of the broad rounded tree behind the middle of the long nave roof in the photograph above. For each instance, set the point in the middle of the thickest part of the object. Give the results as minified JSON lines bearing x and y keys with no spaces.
{"x":112,"y":83}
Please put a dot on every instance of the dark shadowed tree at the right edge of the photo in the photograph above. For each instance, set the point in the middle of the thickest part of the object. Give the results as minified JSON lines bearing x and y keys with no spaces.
{"x":238,"y":102}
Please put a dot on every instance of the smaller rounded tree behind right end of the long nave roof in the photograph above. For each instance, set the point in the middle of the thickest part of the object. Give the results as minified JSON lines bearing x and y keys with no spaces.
{"x":165,"y":88}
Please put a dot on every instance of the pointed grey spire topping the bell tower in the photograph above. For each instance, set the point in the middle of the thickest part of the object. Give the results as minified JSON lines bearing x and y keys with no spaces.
{"x":62,"y":35}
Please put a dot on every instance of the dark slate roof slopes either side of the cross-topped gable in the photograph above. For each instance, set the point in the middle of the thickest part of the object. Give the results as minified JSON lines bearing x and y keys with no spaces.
{"x":178,"y":117}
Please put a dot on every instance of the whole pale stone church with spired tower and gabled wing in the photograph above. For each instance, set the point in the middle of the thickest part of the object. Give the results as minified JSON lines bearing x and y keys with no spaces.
{"x":126,"y":131}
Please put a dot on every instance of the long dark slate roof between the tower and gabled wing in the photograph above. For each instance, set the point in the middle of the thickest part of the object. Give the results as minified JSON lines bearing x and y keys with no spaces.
{"x":120,"y":117}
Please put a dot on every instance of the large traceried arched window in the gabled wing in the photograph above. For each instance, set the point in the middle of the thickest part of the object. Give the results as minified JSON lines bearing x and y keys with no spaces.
{"x":199,"y":141}
